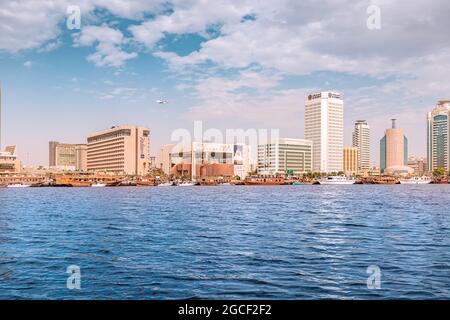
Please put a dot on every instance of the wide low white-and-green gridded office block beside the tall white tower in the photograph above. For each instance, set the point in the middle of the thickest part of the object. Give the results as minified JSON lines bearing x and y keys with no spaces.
{"x":285,"y":156}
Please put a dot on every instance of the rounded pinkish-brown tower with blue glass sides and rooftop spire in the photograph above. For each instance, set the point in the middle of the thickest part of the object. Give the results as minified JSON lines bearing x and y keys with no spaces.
{"x":394,"y":151}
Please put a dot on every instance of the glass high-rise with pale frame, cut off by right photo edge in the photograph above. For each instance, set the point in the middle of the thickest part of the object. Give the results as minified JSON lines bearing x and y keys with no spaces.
{"x":438,"y":148}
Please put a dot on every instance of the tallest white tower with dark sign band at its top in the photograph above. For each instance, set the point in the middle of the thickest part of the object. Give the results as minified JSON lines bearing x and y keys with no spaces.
{"x":324,"y":126}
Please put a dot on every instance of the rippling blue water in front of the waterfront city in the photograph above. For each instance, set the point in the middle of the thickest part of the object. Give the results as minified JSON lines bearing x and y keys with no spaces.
{"x":282,"y":242}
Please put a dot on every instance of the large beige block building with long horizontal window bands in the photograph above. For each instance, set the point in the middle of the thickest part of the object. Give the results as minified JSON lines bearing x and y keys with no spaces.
{"x":120,"y":150}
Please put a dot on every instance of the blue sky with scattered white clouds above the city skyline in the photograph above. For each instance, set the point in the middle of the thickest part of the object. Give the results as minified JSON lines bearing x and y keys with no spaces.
{"x":231,"y":64}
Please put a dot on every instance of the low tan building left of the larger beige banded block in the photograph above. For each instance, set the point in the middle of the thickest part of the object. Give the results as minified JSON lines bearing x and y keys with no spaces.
{"x":69,"y":156}
